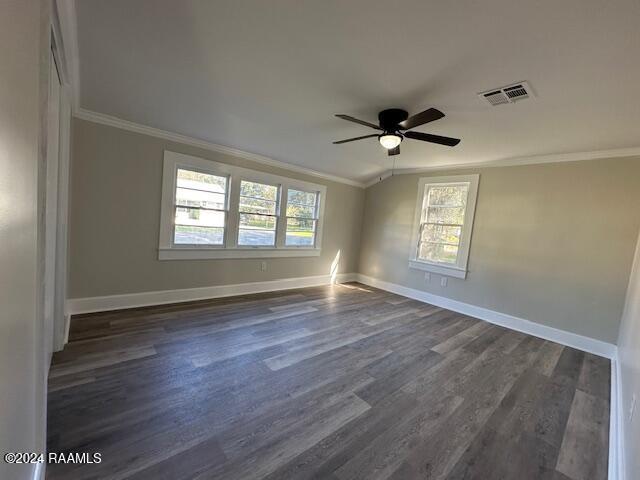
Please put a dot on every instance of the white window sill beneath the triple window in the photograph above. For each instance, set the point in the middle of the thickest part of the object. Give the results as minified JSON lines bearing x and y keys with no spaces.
{"x":222,"y":253}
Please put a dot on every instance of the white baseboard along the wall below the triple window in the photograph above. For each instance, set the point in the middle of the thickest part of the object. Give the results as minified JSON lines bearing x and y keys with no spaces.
{"x":77,"y":306}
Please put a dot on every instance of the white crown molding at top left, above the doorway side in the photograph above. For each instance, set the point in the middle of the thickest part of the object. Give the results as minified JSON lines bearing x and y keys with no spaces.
{"x":66,"y":29}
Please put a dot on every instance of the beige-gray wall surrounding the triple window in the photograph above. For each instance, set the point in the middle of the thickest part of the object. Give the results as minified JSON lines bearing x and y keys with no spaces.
{"x":115,"y":219}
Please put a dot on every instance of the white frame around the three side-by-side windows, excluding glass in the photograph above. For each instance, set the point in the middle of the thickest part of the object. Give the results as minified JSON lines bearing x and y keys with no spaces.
{"x":167,"y":250}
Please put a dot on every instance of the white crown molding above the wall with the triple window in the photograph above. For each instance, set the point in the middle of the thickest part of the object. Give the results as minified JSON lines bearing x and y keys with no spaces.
{"x":214,"y":147}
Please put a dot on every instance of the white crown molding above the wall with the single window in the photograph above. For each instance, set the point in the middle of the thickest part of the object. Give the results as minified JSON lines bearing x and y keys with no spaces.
{"x":512,"y":162}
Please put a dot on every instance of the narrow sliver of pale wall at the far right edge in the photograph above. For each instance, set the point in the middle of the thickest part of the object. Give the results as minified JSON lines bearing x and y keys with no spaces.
{"x":629,"y":358}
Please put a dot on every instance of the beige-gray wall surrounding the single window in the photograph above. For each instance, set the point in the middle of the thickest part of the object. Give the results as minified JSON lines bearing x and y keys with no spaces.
{"x":551,"y":243}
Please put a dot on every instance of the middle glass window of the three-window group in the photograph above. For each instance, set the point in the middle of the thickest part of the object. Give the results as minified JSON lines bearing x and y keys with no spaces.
{"x":258,"y":213}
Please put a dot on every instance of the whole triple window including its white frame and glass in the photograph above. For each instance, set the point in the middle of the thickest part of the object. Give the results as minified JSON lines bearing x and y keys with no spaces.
{"x":215,"y":210}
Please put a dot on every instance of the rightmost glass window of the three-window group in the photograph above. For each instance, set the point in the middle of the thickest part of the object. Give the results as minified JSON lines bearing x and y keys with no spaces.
{"x":302,"y":215}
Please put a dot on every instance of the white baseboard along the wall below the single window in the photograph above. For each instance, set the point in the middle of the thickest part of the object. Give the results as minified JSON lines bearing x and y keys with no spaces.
{"x":563,"y":337}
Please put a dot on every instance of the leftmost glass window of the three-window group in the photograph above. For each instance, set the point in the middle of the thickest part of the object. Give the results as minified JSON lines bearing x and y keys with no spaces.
{"x":200,"y":208}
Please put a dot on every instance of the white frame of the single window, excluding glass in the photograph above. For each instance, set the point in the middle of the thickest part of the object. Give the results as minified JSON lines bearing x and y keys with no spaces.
{"x":459,"y":269}
